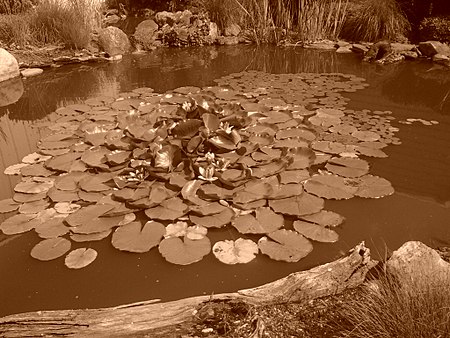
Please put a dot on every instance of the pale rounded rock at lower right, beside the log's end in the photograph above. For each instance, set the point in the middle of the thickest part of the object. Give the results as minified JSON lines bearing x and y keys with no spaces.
{"x":414,"y":262}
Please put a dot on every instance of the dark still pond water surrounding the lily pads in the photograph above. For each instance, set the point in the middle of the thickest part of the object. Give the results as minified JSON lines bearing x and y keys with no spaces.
{"x":418,"y":168}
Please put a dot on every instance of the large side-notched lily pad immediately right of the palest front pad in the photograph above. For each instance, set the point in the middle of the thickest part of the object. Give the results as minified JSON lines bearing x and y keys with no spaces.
{"x":285,"y":245}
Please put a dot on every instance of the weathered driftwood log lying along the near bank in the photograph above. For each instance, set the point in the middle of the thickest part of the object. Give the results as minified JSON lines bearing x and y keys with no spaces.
{"x":171,"y":319}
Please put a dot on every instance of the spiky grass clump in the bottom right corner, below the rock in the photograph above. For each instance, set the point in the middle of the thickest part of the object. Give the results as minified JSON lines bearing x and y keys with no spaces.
{"x":387,"y":309}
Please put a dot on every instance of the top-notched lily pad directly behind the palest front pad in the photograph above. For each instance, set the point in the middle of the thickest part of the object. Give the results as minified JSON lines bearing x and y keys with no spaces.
{"x":264,"y":221}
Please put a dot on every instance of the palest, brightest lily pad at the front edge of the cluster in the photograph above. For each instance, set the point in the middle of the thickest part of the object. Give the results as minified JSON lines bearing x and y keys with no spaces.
{"x":234,"y":252}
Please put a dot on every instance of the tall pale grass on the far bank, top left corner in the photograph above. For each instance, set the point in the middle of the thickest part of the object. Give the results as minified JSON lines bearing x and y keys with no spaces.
{"x":69,"y":22}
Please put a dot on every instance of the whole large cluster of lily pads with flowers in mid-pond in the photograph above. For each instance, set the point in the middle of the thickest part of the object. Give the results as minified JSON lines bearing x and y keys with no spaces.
{"x":162,"y":170}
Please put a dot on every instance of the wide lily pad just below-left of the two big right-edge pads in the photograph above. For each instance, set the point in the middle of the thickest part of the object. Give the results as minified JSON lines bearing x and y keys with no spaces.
{"x":302,"y":204}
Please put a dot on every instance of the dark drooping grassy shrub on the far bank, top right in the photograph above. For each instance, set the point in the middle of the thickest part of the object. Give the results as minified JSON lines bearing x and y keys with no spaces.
{"x":373,"y":20}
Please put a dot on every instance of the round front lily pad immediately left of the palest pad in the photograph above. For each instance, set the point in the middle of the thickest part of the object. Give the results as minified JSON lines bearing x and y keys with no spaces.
{"x":184,"y":251}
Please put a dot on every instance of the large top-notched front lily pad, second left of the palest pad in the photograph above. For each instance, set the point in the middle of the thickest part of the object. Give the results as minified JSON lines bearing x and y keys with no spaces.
{"x":134,"y":237}
